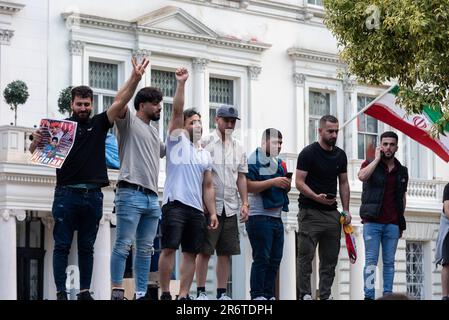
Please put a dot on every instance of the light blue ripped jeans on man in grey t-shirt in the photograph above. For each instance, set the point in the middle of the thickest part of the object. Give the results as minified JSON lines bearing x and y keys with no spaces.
{"x":138,"y":215}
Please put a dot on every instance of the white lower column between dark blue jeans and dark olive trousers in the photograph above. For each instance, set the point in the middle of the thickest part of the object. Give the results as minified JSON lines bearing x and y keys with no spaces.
{"x":287,"y":270}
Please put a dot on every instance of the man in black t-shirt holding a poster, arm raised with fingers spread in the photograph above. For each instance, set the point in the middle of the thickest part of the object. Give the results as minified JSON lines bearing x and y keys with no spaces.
{"x":78,"y":200}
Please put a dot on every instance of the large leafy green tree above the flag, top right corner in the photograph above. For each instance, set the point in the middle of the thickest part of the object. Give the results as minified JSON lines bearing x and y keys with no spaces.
{"x":402,"y":40}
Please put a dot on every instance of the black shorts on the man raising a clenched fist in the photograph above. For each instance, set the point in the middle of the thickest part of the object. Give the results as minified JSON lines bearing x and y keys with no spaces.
{"x":182,"y":224}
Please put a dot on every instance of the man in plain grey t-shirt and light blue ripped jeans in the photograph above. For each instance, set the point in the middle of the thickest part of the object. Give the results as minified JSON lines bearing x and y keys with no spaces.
{"x":136,"y":199}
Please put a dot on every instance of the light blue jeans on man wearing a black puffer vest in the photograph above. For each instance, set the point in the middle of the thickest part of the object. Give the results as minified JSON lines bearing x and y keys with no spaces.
{"x":375,"y":234}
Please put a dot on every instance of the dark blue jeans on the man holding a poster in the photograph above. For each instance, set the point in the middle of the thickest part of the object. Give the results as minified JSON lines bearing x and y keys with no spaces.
{"x":75,"y":210}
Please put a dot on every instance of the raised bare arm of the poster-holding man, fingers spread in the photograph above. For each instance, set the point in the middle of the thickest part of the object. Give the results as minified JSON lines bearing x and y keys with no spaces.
{"x":118,"y":107}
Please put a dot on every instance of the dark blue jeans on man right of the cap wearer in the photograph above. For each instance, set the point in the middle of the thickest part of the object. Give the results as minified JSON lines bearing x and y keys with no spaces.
{"x":266,"y":235}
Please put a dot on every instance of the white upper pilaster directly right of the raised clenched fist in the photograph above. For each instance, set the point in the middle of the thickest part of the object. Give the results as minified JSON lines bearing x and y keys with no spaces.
{"x":201,"y":91}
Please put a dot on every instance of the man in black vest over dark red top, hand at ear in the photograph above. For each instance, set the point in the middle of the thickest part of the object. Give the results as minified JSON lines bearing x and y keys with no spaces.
{"x":382,"y":211}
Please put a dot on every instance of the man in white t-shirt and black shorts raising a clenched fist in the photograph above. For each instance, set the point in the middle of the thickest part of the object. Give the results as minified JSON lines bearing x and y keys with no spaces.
{"x":188,"y":190}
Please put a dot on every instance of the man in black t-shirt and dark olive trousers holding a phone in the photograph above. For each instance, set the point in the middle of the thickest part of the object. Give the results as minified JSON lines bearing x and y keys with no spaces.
{"x":319,"y":166}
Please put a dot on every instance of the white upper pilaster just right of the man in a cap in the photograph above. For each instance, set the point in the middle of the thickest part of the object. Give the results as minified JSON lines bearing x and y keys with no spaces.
{"x":254,"y":104}
